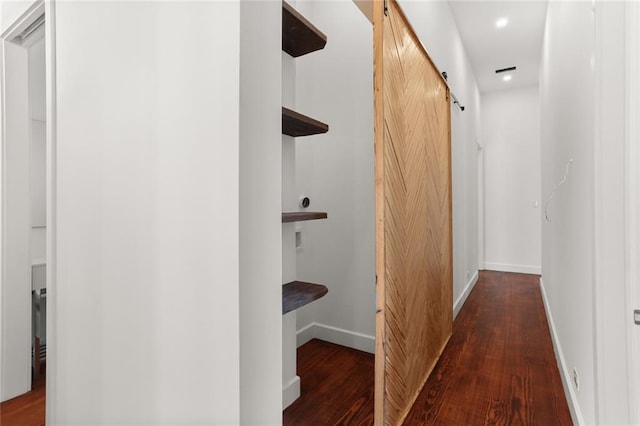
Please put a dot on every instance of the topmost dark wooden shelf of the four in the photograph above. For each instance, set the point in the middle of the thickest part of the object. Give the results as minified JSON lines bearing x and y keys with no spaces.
{"x":299,"y":36}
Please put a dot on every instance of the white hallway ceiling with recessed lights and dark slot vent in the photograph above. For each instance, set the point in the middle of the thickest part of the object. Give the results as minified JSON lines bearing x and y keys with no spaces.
{"x":490,"y":48}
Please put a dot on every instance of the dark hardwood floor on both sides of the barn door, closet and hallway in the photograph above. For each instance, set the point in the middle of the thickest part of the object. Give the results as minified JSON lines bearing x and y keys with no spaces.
{"x":498,"y":368}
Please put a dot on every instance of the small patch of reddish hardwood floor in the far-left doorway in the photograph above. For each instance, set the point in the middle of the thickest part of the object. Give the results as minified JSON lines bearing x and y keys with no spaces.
{"x":27,"y":409}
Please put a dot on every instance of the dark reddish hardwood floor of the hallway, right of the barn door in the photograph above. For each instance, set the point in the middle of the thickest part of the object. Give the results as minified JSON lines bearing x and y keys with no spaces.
{"x":499,"y":367}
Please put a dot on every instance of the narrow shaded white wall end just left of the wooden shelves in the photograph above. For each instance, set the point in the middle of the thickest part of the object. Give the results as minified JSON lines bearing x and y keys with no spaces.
{"x":260,"y":213}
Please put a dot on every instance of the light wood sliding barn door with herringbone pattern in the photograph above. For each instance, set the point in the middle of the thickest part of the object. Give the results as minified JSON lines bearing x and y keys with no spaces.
{"x":413,"y":214}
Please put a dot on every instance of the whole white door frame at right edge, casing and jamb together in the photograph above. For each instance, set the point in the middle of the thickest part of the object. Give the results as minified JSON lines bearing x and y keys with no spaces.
{"x":616,"y":207}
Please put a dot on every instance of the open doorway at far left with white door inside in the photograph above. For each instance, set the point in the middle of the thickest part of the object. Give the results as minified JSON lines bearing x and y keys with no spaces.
{"x":23,"y":178}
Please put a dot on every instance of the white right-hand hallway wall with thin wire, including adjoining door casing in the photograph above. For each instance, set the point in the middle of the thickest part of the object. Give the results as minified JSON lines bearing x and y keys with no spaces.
{"x":582,"y":98}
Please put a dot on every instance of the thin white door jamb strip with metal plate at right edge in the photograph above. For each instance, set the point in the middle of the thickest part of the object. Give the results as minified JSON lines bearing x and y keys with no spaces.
{"x":632,"y":201}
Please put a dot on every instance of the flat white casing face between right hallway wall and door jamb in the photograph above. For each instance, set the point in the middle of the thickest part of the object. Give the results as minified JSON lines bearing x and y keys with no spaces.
{"x":610,"y":320}
